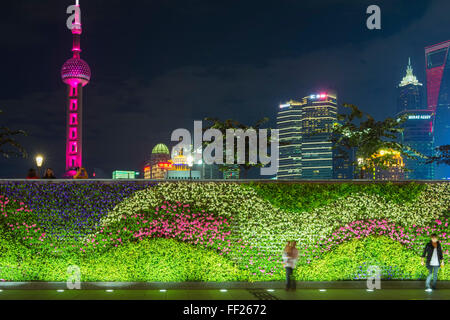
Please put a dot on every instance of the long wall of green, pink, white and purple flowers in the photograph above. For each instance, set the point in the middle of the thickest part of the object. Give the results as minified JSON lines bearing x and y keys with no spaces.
{"x":218,"y":231}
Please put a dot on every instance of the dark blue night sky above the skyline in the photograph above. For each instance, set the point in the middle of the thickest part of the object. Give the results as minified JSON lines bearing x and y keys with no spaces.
{"x":159,"y":65}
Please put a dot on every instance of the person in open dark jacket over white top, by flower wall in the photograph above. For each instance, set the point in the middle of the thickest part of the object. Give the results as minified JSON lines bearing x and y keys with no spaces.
{"x":435,"y":260}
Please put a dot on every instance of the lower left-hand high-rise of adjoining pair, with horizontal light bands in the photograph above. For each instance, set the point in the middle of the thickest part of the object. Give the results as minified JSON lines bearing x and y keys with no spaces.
{"x":289,"y":122}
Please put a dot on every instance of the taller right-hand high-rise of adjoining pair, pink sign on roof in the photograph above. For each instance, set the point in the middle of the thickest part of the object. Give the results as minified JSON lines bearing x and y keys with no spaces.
{"x":319,"y":114}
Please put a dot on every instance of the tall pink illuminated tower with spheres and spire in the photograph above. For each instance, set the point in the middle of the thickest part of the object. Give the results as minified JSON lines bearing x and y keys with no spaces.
{"x":76,"y":74}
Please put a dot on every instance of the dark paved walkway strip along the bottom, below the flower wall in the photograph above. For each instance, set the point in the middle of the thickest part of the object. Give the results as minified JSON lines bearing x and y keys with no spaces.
{"x":237,"y":294}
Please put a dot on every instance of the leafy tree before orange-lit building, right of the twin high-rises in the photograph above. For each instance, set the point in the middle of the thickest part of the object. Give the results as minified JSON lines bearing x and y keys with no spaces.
{"x":368,"y":137}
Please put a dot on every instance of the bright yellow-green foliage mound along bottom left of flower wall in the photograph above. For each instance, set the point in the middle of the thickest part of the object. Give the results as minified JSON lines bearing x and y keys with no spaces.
{"x":158,"y":260}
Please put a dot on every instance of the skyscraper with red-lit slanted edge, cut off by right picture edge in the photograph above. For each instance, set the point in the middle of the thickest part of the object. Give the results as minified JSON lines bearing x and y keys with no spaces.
{"x":438,"y":93}
